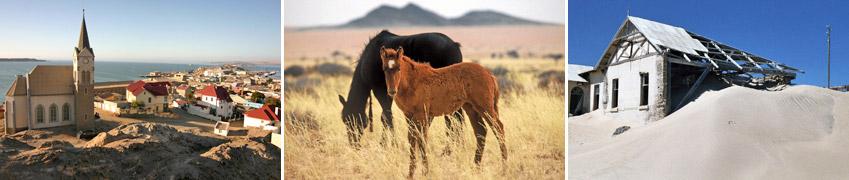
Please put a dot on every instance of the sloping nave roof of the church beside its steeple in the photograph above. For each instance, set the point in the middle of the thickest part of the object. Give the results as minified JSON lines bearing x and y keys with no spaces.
{"x":51,"y":80}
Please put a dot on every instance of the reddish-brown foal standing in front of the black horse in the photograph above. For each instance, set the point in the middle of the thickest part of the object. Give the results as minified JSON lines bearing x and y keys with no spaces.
{"x":423,"y":92}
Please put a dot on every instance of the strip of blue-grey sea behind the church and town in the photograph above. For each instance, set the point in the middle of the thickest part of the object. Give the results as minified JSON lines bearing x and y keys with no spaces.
{"x":110,"y":71}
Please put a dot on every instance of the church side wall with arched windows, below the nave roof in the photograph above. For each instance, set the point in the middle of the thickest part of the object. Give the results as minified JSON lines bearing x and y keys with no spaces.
{"x":46,"y":101}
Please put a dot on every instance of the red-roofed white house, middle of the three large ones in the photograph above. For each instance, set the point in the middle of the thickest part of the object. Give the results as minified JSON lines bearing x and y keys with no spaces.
{"x":217,"y":101}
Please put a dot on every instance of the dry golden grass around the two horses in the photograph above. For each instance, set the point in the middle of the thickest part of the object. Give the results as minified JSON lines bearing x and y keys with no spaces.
{"x":534,"y":124}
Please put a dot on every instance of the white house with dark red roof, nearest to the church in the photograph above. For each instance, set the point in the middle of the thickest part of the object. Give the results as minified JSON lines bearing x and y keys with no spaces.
{"x":153,"y":95}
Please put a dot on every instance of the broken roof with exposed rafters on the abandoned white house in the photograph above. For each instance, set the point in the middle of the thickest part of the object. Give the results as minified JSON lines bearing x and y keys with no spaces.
{"x":685,"y":47}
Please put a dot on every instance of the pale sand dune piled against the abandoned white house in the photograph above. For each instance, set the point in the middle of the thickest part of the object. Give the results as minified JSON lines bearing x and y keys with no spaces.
{"x":736,"y":133}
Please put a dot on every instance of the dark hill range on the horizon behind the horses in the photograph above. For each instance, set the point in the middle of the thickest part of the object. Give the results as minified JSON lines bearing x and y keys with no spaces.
{"x":413,"y":15}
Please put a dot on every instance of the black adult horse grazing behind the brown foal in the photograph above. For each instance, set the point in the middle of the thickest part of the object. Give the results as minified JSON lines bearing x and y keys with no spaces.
{"x":434,"y":48}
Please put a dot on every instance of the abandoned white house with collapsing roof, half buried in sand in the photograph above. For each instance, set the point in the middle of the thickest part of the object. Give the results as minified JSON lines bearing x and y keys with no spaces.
{"x":651,"y":69}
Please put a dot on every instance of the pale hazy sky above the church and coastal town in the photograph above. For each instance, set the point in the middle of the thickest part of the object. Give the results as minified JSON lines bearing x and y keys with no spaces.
{"x":156,"y":30}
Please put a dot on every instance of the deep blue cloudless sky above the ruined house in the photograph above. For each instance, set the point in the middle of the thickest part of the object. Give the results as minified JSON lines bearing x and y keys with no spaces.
{"x":791,"y":32}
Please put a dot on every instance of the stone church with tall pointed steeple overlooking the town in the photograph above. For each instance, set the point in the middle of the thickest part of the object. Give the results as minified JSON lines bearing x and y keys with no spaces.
{"x":54,"y":95}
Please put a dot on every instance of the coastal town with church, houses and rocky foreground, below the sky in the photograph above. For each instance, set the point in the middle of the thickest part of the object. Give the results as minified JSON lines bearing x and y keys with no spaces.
{"x":209,"y":122}
